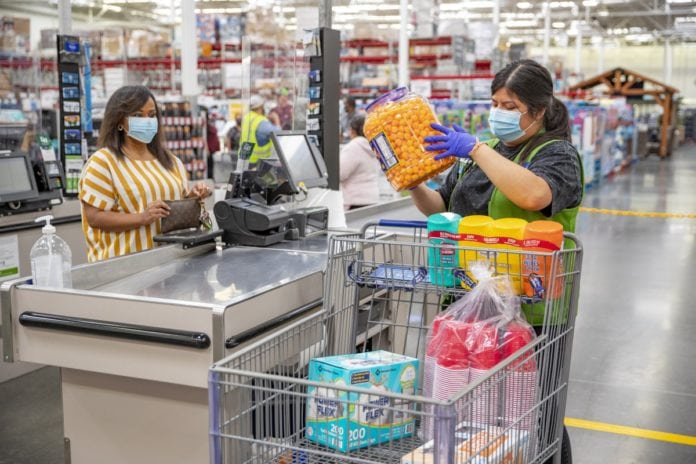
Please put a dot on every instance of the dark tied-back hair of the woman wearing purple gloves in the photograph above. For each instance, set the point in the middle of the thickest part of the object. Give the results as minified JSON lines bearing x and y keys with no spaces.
{"x":532,"y":84}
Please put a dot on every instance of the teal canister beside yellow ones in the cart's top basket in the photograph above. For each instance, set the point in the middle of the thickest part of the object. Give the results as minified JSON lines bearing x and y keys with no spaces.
{"x":443,"y":230}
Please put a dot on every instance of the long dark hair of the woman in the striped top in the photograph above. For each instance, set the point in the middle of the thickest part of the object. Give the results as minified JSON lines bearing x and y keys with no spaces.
{"x":123,"y":103}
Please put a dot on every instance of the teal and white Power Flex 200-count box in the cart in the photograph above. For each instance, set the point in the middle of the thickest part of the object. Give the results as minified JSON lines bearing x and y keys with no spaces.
{"x":347,"y":421}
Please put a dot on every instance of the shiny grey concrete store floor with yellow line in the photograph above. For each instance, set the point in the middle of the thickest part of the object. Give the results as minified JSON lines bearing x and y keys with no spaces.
{"x":633,"y":353}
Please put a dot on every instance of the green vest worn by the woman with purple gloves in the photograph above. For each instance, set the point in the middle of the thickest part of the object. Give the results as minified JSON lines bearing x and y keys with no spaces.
{"x":501,"y":206}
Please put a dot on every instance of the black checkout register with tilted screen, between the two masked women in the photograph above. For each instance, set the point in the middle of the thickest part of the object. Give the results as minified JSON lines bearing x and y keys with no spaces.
{"x":253,"y":212}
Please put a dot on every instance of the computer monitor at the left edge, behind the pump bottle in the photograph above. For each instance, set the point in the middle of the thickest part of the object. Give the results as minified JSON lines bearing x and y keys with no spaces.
{"x":17,"y":180}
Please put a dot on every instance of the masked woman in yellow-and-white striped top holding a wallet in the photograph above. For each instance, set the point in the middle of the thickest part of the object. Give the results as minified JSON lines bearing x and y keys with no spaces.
{"x":125,"y":183}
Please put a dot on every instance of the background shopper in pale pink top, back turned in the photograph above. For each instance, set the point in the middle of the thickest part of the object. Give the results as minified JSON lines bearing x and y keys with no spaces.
{"x":359,"y":168}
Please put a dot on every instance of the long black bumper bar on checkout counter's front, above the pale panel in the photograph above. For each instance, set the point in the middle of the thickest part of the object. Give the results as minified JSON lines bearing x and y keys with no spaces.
{"x":198,"y":340}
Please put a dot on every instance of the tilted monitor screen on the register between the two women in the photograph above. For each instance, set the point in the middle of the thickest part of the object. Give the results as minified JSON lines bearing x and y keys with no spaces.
{"x":301,"y":159}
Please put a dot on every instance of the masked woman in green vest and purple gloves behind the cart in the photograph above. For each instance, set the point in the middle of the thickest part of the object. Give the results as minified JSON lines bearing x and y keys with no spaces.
{"x":530,"y":170}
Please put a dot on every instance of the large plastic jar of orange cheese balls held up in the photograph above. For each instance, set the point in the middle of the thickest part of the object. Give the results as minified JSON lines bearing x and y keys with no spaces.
{"x":395,"y":125}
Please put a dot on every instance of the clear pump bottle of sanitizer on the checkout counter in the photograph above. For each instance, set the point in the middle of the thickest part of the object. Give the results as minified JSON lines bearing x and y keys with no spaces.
{"x":51,"y":258}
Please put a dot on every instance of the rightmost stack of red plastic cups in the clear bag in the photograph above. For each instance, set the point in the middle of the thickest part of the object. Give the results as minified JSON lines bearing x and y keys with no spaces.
{"x":520,"y":387}
